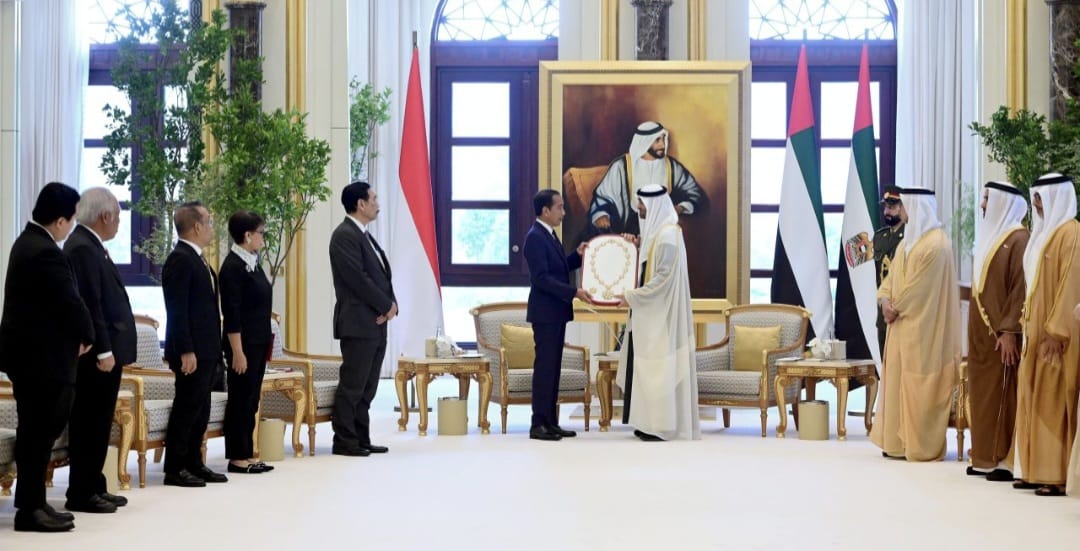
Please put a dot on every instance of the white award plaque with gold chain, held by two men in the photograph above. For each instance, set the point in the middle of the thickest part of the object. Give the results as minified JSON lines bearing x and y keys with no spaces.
{"x":609,"y":268}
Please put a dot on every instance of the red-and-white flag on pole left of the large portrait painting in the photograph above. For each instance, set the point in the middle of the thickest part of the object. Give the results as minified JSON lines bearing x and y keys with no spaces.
{"x":414,"y":258}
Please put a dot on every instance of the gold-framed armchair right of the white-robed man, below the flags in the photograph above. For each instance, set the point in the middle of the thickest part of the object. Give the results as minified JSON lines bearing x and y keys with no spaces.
{"x":723,"y":384}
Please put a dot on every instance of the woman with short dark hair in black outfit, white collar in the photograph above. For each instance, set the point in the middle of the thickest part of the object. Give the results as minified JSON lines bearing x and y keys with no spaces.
{"x":247,"y":301}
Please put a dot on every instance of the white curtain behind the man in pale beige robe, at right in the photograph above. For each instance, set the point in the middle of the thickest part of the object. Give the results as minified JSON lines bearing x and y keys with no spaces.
{"x":936,"y":100}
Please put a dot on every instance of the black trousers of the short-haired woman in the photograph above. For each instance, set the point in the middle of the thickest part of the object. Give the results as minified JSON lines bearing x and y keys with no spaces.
{"x":245,"y":393}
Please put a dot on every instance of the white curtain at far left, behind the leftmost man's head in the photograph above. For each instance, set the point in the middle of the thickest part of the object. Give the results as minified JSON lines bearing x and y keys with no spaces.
{"x":56,"y":68}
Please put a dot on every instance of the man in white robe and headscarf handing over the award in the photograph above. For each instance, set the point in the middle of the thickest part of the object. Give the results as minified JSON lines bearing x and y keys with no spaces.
{"x":657,"y":369}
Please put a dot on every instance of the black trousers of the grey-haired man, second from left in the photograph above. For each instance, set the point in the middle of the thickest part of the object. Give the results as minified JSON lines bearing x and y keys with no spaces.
{"x":96,"y":402}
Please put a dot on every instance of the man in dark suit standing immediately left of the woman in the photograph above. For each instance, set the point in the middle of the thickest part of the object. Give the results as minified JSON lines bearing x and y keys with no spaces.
{"x":193,"y":345}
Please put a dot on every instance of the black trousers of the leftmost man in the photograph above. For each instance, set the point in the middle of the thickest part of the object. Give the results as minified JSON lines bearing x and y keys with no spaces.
{"x":43,"y":408}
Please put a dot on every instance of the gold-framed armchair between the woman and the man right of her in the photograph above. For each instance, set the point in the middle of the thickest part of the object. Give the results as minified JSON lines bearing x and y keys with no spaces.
{"x":321,"y":374}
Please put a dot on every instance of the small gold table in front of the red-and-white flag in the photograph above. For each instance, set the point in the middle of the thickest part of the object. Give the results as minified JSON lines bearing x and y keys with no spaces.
{"x":426,"y":369}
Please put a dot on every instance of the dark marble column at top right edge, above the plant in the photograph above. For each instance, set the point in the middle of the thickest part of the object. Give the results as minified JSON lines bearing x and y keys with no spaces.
{"x":1064,"y":32}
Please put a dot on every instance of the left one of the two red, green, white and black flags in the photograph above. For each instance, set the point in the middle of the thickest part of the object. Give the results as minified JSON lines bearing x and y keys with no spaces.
{"x":801,"y":265}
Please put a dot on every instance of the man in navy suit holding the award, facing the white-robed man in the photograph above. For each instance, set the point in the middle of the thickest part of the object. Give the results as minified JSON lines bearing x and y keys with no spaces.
{"x":550,"y":308}
